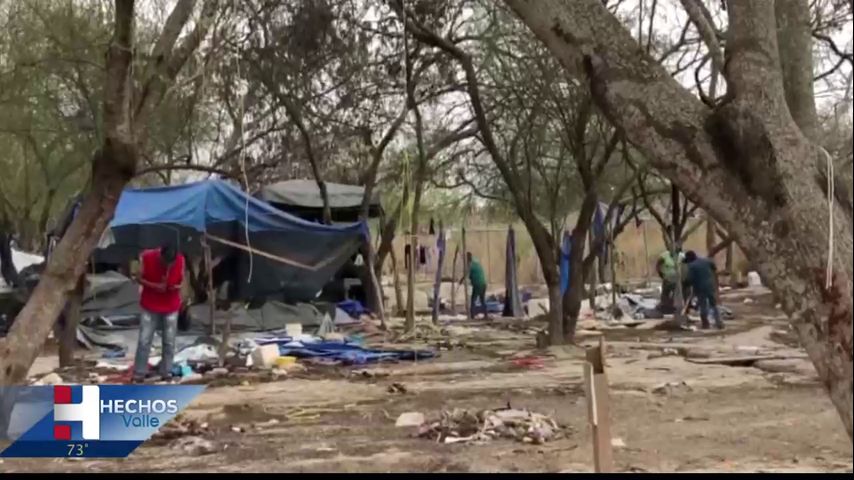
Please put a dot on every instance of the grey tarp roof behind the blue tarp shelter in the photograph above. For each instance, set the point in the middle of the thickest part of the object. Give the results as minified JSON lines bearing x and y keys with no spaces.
{"x":302,"y":198}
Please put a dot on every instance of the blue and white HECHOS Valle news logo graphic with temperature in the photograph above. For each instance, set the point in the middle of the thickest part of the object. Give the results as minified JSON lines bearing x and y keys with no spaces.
{"x":88,"y":421}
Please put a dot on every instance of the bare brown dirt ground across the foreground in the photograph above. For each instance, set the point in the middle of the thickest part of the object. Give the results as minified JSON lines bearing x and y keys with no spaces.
{"x":670,"y":415}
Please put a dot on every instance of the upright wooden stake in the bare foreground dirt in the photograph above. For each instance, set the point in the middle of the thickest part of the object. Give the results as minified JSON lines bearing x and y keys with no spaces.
{"x":598,"y":408}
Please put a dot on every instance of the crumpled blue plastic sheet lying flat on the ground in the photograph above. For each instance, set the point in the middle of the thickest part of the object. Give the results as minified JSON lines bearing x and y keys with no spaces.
{"x":346,"y":352}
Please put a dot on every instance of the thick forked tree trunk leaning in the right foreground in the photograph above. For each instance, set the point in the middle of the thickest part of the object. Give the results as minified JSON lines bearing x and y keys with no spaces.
{"x":745,"y":161}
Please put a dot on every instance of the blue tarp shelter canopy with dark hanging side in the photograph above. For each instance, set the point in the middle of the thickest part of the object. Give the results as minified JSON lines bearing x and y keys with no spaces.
{"x":279,"y":255}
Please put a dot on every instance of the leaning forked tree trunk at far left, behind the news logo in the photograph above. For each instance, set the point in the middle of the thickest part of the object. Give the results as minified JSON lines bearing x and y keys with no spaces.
{"x":113,"y":165}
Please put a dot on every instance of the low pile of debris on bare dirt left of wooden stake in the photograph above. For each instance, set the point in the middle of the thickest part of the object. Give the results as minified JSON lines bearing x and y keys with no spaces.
{"x":462,"y":426}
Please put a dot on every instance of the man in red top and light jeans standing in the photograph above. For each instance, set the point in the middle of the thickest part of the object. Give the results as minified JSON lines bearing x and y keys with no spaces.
{"x":161,"y":272}
